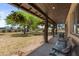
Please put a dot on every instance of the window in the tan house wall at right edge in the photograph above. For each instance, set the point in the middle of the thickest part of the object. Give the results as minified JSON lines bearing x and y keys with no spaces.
{"x":76,"y":21}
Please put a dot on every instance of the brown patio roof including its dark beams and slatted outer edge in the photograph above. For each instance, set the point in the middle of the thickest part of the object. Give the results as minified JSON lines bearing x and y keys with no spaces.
{"x":55,"y":12}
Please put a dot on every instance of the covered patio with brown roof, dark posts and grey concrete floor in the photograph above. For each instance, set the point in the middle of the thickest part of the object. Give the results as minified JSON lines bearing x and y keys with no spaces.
{"x":52,"y":13}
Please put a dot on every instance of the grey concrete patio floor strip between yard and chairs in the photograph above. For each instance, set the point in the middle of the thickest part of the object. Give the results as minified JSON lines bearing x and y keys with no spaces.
{"x":45,"y":49}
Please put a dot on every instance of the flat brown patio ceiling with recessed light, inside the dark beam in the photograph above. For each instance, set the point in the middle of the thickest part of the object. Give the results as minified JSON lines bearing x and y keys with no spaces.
{"x":55,"y":11}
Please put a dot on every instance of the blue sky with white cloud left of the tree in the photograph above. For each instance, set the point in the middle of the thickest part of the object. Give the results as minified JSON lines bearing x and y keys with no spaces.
{"x":5,"y":9}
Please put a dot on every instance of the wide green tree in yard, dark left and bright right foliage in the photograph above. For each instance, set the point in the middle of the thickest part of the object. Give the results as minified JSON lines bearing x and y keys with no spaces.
{"x":23,"y":19}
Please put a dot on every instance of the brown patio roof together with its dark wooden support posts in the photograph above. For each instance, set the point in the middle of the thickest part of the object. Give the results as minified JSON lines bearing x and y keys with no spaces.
{"x":50,"y":13}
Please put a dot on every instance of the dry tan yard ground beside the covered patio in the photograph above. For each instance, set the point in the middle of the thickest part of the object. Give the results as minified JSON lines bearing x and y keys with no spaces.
{"x":18,"y":44}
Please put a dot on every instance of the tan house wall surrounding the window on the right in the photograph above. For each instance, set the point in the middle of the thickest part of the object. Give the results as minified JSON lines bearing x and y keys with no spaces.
{"x":69,"y":23}
